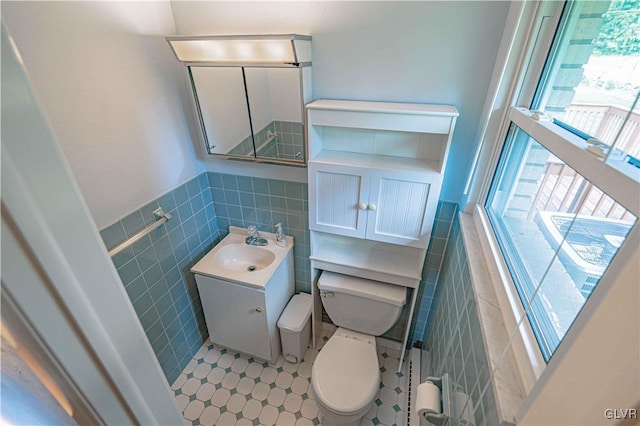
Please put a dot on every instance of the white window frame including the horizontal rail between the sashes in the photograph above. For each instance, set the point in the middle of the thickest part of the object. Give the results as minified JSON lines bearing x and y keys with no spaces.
{"x":520,"y":69}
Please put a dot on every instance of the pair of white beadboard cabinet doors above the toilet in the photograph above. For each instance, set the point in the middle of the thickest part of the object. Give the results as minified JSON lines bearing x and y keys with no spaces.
{"x":393,"y":206}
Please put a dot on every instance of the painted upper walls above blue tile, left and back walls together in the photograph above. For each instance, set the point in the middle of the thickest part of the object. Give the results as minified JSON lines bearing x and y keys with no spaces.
{"x":120,"y":105}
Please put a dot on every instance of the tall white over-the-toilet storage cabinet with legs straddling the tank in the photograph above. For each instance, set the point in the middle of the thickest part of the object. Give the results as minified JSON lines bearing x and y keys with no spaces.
{"x":375,"y":174}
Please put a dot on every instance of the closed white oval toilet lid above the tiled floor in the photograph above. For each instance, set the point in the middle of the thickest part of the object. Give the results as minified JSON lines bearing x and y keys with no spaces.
{"x":345,"y":375}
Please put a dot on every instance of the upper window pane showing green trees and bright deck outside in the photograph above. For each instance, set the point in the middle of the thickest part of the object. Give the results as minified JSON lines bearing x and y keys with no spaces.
{"x":591,"y":82}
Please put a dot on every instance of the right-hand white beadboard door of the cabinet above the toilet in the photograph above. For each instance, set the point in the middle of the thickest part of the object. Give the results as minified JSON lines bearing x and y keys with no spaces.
{"x":401,"y":207}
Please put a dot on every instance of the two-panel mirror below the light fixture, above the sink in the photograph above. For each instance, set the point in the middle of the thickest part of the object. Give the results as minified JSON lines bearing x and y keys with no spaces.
{"x":251,"y":112}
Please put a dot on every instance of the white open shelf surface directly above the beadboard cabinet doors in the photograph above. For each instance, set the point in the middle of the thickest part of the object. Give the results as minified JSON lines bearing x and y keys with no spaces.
{"x":386,"y":162}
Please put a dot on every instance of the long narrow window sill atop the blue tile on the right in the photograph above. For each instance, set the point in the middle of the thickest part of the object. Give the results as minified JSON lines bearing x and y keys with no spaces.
{"x":506,"y":380}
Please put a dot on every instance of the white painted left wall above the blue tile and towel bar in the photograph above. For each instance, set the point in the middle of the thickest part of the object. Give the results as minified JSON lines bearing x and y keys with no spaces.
{"x":114,"y":95}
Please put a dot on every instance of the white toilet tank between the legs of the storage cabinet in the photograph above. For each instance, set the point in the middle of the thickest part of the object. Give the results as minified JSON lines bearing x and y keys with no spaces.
{"x":358,"y":304}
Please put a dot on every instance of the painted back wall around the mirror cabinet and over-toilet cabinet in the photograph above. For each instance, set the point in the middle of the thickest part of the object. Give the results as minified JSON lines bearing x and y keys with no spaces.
{"x":430,"y":52}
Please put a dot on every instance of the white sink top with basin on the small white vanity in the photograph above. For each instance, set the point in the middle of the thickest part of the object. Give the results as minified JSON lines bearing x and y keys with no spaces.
{"x":234,"y":260}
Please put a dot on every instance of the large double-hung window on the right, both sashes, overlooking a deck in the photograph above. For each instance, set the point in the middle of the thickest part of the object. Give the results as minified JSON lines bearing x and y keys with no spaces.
{"x":562,"y":200}
